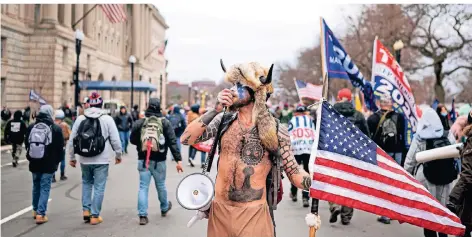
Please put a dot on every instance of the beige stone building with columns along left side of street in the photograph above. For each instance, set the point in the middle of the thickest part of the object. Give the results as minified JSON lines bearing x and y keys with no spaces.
{"x":38,"y":51}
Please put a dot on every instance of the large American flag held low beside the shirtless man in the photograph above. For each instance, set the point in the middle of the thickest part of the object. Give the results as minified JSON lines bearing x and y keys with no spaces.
{"x":351,"y":170}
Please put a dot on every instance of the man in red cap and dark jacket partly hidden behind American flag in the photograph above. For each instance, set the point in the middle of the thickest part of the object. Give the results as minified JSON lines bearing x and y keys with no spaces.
{"x":345,"y":107}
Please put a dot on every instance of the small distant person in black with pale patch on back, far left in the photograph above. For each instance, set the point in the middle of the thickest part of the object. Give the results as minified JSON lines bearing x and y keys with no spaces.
{"x":14,"y":134}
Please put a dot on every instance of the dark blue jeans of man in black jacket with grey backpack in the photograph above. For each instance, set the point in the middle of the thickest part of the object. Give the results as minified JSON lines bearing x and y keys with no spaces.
{"x":41,"y":188}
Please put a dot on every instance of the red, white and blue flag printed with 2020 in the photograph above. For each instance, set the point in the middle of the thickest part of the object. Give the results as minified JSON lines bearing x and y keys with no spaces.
{"x":390,"y":79}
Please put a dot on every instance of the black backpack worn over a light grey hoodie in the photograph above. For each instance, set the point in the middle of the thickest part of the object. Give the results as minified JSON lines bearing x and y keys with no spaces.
{"x":89,"y":141}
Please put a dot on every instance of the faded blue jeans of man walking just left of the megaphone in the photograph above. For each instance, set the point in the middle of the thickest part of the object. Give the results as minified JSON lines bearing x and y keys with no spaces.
{"x":158,"y":171}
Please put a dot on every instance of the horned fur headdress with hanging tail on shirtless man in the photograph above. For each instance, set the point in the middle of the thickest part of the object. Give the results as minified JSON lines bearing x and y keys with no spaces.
{"x":259,"y":80}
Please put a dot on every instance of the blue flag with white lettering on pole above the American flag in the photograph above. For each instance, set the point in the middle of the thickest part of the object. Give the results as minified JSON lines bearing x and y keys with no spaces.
{"x":338,"y":64}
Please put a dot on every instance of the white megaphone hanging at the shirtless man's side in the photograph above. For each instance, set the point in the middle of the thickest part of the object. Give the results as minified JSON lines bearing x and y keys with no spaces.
{"x":195,"y":192}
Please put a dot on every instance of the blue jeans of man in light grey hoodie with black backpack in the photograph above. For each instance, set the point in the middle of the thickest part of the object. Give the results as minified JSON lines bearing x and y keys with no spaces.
{"x":93,"y":176}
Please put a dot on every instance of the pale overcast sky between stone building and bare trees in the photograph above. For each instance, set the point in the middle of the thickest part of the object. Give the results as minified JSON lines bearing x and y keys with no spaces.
{"x":201,"y":32}
